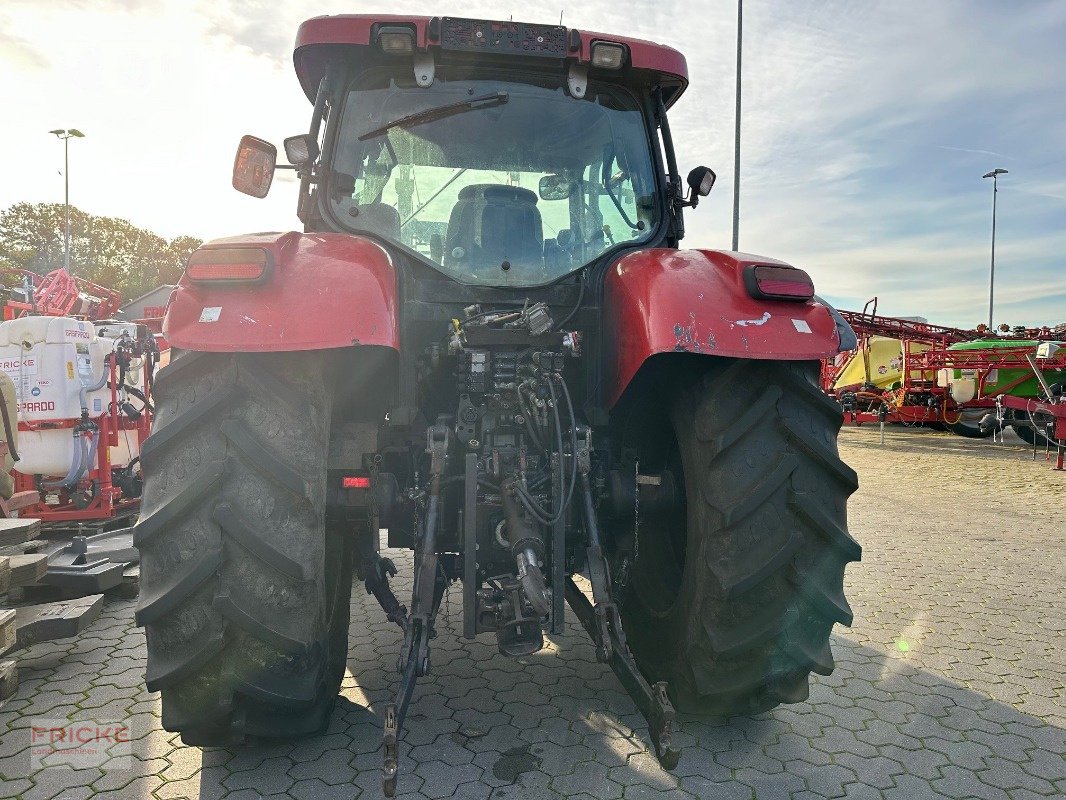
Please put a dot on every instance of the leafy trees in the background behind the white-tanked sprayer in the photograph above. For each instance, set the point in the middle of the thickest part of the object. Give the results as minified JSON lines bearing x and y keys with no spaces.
{"x":105,"y":250}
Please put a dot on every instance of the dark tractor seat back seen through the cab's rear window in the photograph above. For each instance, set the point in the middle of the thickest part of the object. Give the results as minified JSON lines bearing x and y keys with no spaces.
{"x":492,"y":223}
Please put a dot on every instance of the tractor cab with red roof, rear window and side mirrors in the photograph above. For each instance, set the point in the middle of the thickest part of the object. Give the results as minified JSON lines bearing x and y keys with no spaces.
{"x":499,"y":154}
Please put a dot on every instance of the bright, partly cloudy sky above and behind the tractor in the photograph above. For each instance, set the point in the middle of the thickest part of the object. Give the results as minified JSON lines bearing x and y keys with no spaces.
{"x":866,"y":129}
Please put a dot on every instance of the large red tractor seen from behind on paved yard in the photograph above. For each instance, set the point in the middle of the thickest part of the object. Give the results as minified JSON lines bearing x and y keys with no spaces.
{"x":488,"y":342}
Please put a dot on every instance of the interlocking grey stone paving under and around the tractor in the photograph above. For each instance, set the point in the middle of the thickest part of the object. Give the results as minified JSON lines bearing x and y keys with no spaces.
{"x":949,"y":685}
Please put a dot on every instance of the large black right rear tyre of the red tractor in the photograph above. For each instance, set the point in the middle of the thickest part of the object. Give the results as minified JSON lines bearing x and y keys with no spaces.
{"x":737,"y":586}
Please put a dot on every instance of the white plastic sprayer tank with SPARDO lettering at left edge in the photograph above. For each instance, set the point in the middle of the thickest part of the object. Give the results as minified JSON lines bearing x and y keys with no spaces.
{"x":51,"y":360}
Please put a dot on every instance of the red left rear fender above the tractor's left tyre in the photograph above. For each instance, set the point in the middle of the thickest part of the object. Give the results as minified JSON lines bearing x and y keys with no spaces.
{"x":322,"y":291}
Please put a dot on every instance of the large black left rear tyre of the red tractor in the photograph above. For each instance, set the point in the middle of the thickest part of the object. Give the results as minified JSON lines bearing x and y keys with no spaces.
{"x":245,"y":594}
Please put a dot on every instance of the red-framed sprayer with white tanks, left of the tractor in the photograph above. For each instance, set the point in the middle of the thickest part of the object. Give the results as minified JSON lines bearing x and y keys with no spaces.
{"x":84,"y":389}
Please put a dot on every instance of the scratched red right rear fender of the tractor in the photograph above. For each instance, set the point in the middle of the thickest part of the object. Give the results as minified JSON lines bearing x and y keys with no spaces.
{"x":696,"y":301}
